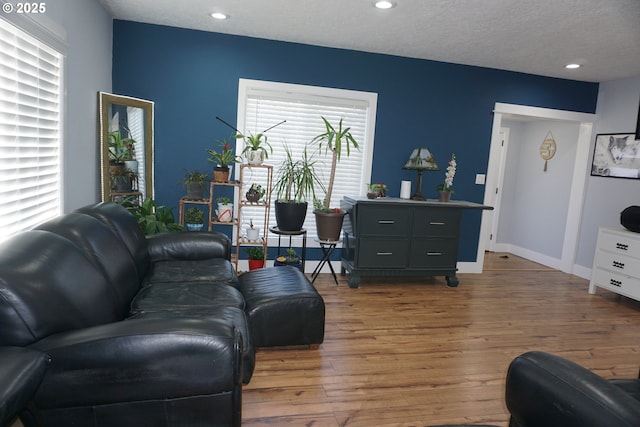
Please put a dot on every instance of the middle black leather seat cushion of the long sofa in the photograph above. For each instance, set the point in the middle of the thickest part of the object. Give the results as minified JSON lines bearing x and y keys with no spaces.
{"x":172,"y":296}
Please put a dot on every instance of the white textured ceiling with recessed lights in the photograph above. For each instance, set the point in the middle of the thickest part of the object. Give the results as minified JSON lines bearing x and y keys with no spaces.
{"x":530,"y":36}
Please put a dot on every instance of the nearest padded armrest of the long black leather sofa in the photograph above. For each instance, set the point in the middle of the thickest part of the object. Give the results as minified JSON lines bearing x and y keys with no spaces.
{"x":140,"y":359}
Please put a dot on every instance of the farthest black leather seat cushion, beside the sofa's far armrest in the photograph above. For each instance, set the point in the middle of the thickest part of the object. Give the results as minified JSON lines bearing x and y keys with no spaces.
{"x":218,"y":271}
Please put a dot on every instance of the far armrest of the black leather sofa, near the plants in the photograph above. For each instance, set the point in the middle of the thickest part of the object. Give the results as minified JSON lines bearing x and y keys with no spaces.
{"x":188,"y":245}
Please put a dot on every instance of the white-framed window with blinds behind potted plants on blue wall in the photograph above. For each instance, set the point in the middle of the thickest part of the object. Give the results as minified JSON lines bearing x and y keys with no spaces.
{"x":262,"y":105}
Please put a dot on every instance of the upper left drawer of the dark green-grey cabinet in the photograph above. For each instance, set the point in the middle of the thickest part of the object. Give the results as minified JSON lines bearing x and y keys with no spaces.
{"x":384,"y":221}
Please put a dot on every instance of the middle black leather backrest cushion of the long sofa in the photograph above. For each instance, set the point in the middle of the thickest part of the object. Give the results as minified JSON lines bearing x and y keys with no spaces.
{"x":106,"y":251}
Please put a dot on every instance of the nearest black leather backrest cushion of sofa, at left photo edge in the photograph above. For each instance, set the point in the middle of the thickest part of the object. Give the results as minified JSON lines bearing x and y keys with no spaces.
{"x":48,"y":285}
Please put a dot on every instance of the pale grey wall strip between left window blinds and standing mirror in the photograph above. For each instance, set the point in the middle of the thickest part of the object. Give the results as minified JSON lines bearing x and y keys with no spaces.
{"x":87,"y":70}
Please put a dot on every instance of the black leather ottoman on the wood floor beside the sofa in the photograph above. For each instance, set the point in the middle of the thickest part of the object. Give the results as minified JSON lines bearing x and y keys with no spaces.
{"x":283,"y":307}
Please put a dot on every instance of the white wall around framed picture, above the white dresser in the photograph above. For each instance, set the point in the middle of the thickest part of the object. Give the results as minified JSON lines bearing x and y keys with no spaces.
{"x":617,"y":112}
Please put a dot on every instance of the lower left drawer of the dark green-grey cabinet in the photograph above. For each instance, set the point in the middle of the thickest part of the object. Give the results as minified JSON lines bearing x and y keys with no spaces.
{"x":382,"y":253}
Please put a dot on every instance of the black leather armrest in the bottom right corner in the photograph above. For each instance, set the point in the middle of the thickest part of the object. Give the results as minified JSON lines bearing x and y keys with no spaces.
{"x":547,"y":390}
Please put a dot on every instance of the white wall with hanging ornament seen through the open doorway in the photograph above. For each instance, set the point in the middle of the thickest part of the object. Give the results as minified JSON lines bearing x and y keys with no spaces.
{"x":534,"y":206}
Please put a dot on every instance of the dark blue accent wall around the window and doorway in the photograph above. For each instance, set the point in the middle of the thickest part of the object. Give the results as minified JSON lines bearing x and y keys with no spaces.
{"x":193,"y":77}
